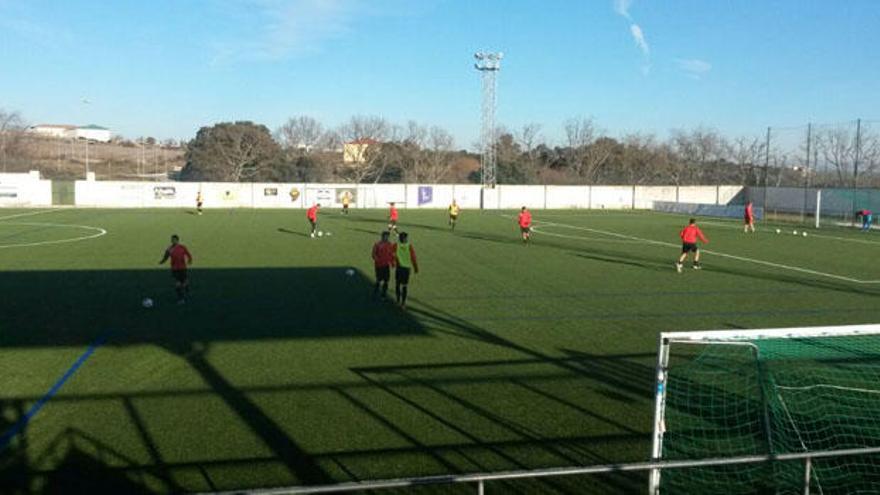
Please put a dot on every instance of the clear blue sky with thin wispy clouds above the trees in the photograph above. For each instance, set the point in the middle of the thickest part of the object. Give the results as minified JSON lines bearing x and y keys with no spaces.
{"x":165,"y":68}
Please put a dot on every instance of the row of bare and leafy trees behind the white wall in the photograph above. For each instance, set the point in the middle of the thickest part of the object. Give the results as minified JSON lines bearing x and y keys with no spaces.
{"x":305,"y":150}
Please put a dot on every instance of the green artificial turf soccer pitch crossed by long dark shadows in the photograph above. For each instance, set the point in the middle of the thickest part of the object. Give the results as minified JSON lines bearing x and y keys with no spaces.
{"x":283,"y":370}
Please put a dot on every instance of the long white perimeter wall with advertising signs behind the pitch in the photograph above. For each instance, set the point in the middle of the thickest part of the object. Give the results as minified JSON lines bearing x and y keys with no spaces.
{"x":291,"y":195}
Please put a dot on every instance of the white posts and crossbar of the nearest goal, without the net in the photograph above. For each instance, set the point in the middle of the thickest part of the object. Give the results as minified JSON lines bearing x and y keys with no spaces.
{"x":729,"y":337}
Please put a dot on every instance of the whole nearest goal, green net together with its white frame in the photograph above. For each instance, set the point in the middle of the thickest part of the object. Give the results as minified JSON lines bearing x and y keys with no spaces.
{"x":731,"y":393}
